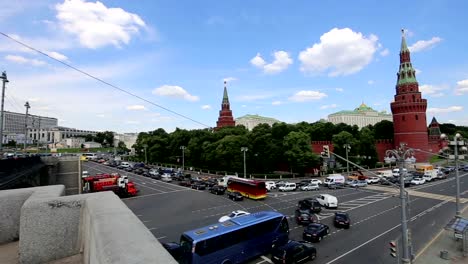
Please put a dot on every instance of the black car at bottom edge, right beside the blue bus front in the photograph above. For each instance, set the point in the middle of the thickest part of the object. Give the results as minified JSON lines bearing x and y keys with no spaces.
{"x":294,"y":252}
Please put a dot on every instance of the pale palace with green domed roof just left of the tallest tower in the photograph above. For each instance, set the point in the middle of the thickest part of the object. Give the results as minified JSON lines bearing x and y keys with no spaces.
{"x":361,"y":116}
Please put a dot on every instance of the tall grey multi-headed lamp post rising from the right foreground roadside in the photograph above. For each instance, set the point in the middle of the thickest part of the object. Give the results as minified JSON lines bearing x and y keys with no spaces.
{"x":401,"y":154}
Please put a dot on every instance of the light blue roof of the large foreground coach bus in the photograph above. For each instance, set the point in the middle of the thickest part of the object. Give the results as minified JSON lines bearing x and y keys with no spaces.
{"x":230,"y":225}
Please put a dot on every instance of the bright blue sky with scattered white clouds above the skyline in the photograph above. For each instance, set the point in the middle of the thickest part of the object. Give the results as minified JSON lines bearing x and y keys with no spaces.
{"x":293,"y":61}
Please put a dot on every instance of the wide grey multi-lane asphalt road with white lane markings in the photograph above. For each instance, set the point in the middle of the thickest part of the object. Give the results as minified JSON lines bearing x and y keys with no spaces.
{"x":168,"y":210}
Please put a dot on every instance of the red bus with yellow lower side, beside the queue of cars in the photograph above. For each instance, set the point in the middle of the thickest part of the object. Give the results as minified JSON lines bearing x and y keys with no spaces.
{"x":249,"y":188}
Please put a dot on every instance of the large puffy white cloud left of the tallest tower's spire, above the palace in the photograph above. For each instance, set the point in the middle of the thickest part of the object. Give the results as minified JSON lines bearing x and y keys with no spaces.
{"x":340,"y":52}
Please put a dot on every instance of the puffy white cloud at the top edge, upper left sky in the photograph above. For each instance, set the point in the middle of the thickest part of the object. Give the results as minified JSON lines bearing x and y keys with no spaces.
{"x":96,"y":25}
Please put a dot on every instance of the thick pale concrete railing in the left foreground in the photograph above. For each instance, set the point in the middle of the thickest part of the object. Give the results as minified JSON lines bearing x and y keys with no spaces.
{"x":99,"y":226}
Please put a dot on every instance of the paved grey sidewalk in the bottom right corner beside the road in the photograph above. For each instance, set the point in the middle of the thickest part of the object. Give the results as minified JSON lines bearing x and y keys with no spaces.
{"x":444,"y":240}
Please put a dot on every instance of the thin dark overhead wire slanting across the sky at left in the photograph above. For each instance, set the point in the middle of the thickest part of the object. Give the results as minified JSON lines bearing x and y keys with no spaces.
{"x":102,"y":81}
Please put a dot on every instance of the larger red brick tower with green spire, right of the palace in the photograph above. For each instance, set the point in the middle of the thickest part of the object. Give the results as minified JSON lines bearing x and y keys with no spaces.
{"x":408,"y":108}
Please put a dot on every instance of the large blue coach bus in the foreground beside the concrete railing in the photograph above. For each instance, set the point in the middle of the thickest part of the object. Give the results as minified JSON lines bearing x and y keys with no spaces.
{"x":234,"y":241}
